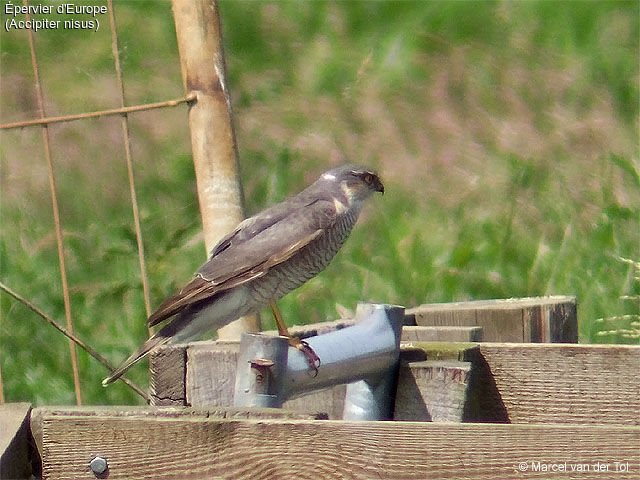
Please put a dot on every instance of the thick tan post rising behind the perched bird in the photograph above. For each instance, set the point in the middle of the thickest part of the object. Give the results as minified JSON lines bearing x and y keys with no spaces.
{"x":213,"y":143}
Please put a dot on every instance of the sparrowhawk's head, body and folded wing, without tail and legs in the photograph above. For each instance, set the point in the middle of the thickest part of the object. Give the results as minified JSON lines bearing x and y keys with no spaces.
{"x":287,"y":243}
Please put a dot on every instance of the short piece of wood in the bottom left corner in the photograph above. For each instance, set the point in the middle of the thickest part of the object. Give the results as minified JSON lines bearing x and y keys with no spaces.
{"x":15,"y":455}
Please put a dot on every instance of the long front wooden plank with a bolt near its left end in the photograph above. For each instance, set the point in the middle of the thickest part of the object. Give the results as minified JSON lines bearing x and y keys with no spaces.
{"x":196,"y":448}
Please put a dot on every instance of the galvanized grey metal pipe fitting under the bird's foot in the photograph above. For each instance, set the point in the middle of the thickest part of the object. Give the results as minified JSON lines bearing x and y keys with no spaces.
{"x":367,"y":351}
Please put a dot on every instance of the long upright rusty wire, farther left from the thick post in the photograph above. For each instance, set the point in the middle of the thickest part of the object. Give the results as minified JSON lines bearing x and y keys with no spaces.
{"x":56,"y":212}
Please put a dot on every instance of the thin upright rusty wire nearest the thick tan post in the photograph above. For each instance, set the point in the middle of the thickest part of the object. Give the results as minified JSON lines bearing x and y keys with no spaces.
{"x":129,"y":161}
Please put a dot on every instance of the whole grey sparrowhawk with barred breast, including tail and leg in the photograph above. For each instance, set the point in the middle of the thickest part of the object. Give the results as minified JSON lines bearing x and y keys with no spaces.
{"x":263,"y":259}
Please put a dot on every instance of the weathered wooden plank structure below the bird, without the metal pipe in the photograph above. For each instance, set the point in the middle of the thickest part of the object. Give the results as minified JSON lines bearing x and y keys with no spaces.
{"x":463,"y":408}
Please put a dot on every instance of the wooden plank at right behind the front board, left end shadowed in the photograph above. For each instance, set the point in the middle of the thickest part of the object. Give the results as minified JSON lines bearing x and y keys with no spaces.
{"x":568,"y":383}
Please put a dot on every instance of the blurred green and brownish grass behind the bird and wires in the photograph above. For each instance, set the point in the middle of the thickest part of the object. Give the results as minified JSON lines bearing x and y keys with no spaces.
{"x":506,"y":133}
